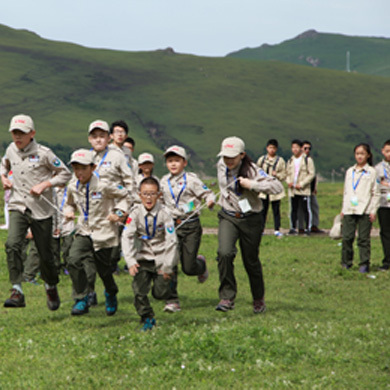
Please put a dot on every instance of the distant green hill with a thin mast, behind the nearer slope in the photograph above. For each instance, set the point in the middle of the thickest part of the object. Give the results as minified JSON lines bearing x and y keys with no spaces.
{"x":367,"y":55}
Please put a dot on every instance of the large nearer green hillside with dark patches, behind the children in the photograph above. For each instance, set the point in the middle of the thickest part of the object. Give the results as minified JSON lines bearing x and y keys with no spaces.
{"x":194,"y":101}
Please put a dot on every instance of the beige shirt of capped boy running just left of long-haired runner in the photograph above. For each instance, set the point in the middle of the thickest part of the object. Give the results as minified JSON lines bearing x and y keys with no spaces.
{"x":185,"y":194}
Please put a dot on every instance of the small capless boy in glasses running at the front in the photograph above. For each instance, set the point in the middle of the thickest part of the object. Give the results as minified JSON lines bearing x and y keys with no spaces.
{"x":151,"y":224}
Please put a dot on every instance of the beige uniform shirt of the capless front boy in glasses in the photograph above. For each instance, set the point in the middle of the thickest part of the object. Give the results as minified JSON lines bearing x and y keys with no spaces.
{"x":159,"y":244}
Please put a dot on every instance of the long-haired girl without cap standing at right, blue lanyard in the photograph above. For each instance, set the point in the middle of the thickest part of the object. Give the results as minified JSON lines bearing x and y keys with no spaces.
{"x":360,"y":203}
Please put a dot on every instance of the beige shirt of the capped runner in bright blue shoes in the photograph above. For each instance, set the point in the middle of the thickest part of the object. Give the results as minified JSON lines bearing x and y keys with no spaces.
{"x":94,"y":205}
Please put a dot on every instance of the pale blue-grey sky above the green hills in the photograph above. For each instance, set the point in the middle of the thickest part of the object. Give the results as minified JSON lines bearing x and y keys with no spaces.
{"x":201,"y":27}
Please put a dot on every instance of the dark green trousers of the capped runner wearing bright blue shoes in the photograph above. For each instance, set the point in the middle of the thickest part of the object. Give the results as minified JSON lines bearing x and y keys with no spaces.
{"x":81,"y":252}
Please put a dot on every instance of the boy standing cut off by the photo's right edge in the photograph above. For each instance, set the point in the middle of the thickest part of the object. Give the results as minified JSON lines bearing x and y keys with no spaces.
{"x":383,"y":175}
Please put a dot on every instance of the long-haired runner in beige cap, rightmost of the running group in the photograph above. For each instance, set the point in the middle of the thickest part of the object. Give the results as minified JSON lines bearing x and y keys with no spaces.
{"x":240,"y":219}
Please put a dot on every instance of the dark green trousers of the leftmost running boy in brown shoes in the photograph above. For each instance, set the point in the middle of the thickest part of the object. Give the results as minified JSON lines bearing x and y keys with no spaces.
{"x":42,"y":232}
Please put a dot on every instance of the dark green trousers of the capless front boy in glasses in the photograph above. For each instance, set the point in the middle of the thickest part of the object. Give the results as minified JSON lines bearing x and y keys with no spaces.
{"x":147,"y":273}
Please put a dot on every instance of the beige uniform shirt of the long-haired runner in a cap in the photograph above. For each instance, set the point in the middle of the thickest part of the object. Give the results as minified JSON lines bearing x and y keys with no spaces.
{"x":231,"y":195}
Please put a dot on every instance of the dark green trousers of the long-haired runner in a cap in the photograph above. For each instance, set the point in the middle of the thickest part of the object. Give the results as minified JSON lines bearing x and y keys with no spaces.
{"x":247,"y":231}
